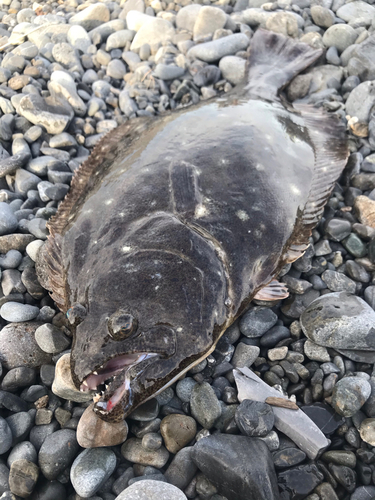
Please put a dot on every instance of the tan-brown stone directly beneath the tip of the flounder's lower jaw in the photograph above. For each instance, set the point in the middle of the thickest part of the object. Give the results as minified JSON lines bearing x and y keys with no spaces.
{"x":93,"y":432}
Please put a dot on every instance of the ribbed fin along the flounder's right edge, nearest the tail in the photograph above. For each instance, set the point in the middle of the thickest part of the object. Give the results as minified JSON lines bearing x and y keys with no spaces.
{"x":328,"y":137}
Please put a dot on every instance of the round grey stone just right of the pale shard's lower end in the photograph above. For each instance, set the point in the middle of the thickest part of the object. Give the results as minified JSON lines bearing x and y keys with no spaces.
{"x":349,"y":395}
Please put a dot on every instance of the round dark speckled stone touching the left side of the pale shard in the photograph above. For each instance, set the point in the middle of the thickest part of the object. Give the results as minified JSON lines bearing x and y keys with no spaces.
{"x":254,"y":419}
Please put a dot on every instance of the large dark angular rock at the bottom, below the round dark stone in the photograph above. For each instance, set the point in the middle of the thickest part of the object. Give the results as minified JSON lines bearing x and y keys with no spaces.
{"x":234,"y":465}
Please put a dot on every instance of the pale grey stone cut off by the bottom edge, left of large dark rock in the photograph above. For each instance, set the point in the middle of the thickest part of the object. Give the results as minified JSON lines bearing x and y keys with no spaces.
{"x":146,"y":489}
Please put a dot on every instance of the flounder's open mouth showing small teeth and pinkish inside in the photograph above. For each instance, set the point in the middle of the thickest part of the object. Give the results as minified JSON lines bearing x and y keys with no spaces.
{"x":112,"y":381}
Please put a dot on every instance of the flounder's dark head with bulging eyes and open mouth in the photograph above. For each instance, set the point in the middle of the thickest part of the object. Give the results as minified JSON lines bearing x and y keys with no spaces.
{"x":139,"y":327}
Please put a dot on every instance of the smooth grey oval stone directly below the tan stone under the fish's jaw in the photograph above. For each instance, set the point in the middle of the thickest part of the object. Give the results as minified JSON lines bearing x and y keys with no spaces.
{"x":91,"y":469}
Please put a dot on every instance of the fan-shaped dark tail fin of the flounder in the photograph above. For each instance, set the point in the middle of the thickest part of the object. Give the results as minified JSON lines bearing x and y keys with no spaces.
{"x":274,"y":61}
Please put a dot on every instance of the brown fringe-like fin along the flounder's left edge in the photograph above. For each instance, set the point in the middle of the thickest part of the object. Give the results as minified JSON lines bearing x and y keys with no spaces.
{"x":101,"y":158}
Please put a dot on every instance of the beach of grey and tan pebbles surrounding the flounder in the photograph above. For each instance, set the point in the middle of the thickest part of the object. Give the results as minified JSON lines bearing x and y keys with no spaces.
{"x":72,"y":72}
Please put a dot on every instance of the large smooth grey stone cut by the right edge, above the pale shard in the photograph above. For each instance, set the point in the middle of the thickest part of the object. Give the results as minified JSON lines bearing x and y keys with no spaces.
{"x":340,"y":320}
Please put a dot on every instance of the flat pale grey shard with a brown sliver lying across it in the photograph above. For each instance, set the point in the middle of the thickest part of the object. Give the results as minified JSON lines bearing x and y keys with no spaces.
{"x":293,"y":423}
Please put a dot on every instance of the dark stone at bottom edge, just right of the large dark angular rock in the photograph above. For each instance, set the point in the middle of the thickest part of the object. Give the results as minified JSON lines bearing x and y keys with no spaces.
{"x":300,"y":481}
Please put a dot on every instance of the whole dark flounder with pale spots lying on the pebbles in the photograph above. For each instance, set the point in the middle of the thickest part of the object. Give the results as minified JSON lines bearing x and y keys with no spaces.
{"x":175,"y":223}
